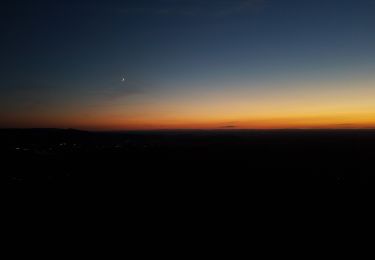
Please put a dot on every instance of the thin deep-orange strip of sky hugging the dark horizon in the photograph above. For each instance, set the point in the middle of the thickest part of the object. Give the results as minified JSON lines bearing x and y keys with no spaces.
{"x":308,"y":122}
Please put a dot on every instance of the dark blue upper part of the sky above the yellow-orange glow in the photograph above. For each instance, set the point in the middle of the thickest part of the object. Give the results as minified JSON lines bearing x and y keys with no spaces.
{"x":73,"y":54}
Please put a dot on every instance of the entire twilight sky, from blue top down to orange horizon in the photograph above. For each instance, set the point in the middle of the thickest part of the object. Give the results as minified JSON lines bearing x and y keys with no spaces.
{"x":187,"y":64}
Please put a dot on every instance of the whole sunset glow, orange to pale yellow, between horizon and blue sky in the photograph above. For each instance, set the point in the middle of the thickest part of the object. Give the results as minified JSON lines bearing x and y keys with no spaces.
{"x":335,"y":105}
